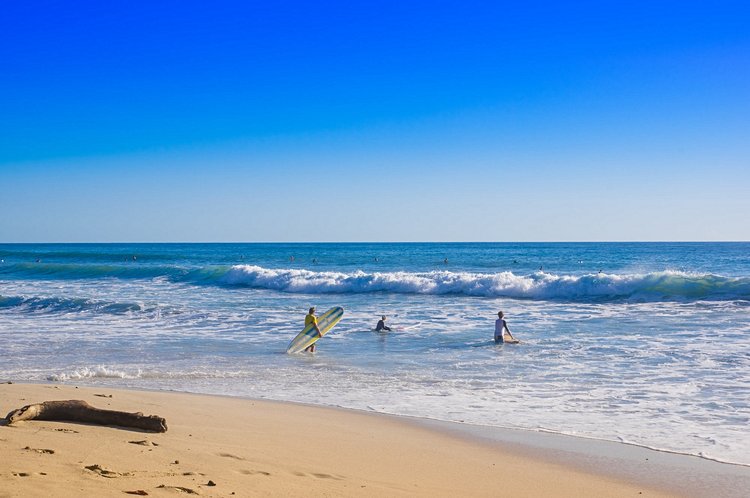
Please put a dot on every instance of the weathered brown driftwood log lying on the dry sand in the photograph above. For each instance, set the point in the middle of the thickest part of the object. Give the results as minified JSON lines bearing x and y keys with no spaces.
{"x":80,"y":411}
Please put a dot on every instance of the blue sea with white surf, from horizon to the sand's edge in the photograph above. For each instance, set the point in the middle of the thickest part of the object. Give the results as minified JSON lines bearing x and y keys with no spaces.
{"x":644,"y":343}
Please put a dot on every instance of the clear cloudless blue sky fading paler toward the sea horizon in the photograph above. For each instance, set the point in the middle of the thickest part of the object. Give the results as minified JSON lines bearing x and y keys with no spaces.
{"x":374,"y":121}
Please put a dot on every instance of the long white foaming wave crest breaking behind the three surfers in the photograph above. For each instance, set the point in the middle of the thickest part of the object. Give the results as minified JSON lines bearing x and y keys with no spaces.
{"x":657,"y":286}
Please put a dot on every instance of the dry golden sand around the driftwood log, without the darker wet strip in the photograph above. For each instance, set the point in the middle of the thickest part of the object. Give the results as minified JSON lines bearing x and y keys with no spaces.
{"x":220,"y":446}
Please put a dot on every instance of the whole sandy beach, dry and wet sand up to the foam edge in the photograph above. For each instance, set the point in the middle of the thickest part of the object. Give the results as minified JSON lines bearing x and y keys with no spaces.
{"x":386,"y":454}
